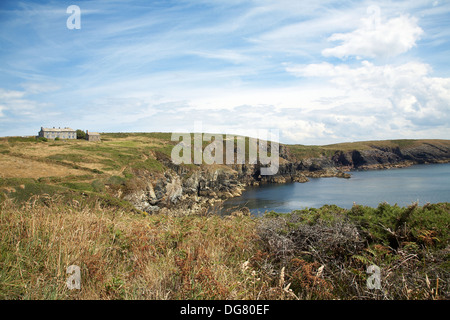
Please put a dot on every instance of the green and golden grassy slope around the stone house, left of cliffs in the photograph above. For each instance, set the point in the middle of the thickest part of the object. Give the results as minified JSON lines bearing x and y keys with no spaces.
{"x":29,"y":167}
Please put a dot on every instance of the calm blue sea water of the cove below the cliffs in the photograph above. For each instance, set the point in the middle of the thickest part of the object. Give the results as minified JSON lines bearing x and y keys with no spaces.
{"x":403,"y":186}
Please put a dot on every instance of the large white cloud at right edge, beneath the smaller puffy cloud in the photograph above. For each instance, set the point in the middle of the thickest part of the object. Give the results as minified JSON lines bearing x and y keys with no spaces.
{"x":406,"y":91}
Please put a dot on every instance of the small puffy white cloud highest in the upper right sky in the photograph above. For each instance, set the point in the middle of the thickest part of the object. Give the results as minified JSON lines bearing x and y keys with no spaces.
{"x":375,"y":38}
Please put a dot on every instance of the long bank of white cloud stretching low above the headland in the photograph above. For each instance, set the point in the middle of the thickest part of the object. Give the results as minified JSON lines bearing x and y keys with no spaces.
{"x":367,"y":101}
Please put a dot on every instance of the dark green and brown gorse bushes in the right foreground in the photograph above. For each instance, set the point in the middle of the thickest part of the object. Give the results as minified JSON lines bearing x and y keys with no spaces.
{"x":324,"y":253}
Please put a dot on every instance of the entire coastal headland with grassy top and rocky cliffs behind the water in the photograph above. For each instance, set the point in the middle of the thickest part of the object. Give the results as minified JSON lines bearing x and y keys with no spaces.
{"x":136,"y":169}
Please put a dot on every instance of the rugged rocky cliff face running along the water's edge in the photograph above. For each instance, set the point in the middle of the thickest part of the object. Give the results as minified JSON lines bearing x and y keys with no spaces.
{"x":191,"y":189}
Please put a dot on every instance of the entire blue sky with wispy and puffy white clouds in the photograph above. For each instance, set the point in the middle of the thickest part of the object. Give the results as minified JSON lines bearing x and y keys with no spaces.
{"x":317,"y":72}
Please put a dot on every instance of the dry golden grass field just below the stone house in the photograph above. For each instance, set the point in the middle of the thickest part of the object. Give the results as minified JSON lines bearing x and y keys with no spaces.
{"x":26,"y":158}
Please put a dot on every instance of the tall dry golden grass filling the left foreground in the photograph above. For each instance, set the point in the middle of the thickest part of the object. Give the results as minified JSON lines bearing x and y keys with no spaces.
{"x":121,"y":255}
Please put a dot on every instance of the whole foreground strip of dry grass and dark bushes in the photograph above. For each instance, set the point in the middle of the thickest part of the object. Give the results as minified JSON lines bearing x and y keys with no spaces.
{"x":307,"y":254}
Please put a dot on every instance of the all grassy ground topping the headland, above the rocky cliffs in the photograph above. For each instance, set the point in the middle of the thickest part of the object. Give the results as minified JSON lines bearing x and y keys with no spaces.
{"x":79,"y":168}
